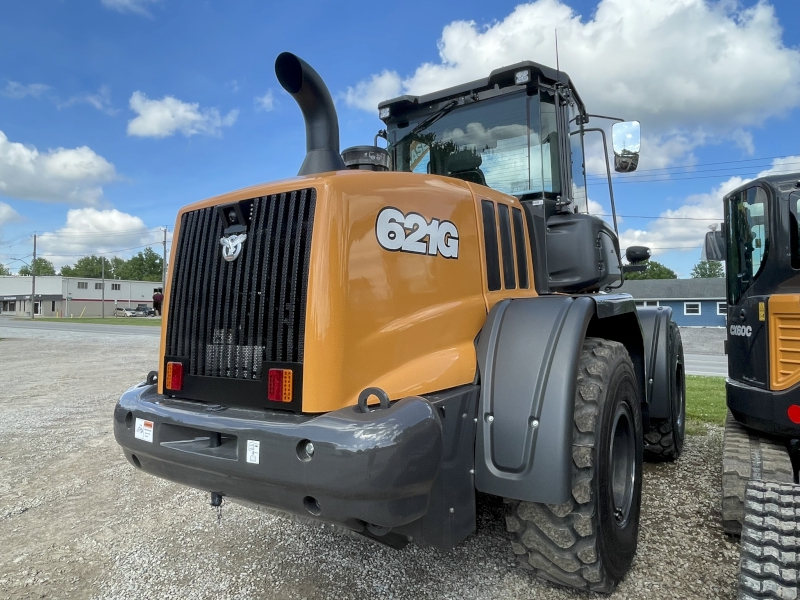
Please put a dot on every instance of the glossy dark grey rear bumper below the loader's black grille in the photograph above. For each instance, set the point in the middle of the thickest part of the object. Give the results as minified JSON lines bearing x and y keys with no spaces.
{"x":377,"y":467}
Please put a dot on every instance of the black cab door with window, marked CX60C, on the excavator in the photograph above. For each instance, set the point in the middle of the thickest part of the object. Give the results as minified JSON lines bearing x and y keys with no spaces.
{"x":748,"y":240}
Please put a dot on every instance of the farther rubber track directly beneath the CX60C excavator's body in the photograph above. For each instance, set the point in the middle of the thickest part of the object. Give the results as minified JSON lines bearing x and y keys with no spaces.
{"x":746,"y":456}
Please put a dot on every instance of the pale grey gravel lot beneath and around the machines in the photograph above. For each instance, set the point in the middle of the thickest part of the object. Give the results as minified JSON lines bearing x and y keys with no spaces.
{"x":77,"y":521}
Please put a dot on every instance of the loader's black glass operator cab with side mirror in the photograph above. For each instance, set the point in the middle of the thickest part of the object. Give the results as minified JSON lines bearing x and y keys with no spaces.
{"x":520,"y":131}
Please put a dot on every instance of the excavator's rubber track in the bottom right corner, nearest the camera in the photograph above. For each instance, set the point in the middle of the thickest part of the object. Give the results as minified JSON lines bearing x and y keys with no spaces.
{"x":770,"y":553}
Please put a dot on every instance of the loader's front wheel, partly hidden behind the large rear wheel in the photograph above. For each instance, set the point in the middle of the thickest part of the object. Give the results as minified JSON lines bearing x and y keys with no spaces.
{"x":664,"y":440}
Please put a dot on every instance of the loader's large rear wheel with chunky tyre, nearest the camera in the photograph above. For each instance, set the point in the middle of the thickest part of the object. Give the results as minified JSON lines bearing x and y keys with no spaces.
{"x":590,"y":541}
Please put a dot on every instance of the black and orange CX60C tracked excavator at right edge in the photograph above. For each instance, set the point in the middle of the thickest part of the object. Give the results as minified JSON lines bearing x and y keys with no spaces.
{"x":761,"y":452}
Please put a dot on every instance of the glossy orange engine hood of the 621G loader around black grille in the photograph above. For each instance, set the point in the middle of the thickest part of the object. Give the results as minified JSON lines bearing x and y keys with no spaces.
{"x":402,"y":319}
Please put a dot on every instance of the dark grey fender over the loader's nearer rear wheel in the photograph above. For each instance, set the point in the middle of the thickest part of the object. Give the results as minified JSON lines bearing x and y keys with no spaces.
{"x":528,"y":355}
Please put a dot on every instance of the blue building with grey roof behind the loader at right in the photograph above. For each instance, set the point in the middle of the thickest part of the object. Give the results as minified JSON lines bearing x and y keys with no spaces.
{"x":696,"y":302}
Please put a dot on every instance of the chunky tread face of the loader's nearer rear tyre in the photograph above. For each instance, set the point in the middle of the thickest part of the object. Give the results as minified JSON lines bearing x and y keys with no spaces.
{"x":559,"y":541}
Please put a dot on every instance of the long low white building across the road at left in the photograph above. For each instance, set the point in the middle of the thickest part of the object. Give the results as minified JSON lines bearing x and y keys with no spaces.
{"x":58,"y":296}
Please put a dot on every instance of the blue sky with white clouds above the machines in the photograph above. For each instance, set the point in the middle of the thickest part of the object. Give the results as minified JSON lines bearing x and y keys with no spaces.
{"x":115,"y":113}
